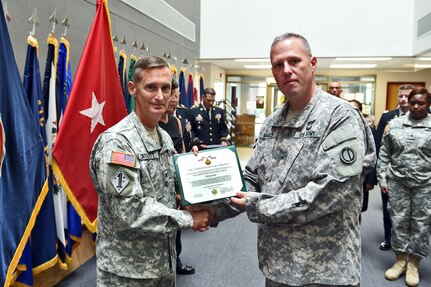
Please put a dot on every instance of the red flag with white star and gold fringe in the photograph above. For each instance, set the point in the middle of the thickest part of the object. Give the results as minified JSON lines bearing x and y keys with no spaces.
{"x":95,"y":104}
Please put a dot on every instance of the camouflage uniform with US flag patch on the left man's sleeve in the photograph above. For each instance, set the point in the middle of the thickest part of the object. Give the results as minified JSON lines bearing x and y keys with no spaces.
{"x":134,"y":178}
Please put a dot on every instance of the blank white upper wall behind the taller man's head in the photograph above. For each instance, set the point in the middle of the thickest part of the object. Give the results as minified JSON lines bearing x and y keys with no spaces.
{"x":246,"y":28}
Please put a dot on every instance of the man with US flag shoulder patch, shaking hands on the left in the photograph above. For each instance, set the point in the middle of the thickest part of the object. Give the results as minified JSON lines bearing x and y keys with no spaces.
{"x":132,"y":169}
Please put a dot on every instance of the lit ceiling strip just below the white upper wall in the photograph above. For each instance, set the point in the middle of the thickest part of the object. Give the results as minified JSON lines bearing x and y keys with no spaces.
{"x":394,"y":64}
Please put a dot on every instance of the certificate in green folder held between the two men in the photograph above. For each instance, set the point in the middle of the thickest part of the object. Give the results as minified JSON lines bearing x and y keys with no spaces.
{"x":212,"y":174}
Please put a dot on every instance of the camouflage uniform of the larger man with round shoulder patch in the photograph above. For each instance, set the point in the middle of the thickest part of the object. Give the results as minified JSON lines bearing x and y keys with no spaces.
{"x":306,"y":182}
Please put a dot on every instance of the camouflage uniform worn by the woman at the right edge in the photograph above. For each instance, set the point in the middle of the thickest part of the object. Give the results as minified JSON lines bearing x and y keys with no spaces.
{"x":405,"y":168}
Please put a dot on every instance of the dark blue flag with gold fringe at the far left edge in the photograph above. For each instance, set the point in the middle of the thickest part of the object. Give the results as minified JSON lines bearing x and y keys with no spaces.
{"x":22,"y":165}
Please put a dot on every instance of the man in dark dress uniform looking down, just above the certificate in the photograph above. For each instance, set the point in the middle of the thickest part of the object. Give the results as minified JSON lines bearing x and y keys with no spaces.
{"x":208,"y":122}
